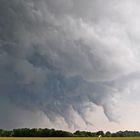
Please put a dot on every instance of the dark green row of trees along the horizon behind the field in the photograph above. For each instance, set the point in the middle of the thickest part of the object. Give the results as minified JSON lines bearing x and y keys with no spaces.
{"x":39,"y":132}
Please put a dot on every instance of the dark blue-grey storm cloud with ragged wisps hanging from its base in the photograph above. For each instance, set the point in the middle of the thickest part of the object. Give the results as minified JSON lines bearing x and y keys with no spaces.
{"x":56,"y":57}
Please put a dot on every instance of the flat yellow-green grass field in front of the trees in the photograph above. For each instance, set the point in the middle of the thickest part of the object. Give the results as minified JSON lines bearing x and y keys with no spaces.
{"x":12,"y":138}
